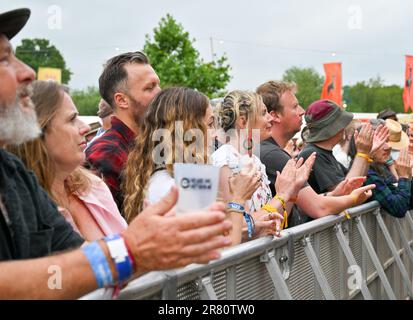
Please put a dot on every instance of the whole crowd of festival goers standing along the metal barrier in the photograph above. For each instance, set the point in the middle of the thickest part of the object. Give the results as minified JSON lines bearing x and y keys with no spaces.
{"x":104,"y":211}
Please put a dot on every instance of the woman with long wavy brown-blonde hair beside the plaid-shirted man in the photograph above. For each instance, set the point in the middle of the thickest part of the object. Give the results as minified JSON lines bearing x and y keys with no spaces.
{"x":148,"y":176}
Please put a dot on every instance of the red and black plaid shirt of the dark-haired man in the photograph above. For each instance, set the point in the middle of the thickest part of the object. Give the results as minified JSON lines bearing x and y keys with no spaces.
{"x":107,"y":156}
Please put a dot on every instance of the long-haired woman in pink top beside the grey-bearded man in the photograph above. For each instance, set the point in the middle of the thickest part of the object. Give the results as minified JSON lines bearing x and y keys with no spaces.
{"x":56,"y":158}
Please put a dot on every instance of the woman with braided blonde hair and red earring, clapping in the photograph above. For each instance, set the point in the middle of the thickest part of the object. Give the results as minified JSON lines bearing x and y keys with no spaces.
{"x":245,"y":122}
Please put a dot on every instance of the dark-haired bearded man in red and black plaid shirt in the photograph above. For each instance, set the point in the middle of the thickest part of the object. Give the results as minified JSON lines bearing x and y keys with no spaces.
{"x":128,"y":84}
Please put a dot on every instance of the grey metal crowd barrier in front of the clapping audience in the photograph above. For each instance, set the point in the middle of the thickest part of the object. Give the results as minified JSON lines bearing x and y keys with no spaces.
{"x":163,"y":286}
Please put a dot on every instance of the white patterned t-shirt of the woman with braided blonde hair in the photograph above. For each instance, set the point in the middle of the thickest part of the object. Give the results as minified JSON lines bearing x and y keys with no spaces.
{"x":227,"y":155}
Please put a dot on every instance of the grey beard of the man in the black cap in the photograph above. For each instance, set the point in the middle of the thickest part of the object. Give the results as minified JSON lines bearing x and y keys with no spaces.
{"x":16,"y":125}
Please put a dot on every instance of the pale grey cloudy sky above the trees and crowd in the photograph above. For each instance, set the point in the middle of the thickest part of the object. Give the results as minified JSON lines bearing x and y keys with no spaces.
{"x":261,"y":38}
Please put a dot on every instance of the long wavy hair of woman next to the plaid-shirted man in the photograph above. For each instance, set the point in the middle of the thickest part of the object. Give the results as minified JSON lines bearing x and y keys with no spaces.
{"x":169,"y":106}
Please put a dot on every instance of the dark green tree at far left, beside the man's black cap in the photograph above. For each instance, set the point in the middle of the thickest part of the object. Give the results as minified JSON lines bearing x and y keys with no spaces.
{"x":41,"y":53}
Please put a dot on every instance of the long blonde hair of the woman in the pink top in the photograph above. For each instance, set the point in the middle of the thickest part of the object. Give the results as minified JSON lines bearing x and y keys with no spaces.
{"x":47,"y":99}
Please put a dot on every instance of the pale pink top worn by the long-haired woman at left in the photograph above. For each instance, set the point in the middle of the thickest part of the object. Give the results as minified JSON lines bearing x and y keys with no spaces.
{"x":102,"y":207}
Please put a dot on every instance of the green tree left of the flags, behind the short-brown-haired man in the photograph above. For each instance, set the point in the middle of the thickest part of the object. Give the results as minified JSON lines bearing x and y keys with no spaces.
{"x":309,"y":83}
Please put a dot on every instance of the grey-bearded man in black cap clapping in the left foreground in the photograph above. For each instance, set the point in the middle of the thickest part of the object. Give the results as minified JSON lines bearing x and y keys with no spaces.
{"x":31,"y":228}
